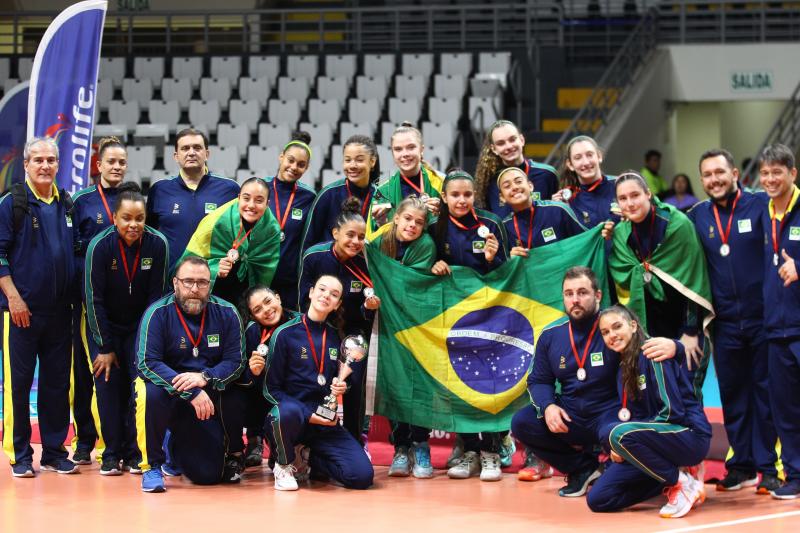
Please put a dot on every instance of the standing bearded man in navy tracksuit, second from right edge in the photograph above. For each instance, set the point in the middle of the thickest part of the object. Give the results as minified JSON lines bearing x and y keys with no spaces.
{"x":730,"y":229}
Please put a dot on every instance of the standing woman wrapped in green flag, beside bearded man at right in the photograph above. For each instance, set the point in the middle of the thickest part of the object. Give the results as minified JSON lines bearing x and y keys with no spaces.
{"x":660,"y":271}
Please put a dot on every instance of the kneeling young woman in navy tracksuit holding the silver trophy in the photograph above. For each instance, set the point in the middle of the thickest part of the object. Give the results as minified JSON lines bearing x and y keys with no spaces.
{"x":301,"y":370}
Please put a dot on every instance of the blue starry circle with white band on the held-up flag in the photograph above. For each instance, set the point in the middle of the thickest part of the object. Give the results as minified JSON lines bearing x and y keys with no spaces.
{"x":490,"y":349}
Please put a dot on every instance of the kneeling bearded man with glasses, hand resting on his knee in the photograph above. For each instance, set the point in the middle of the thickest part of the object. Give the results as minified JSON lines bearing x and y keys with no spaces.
{"x":189,"y":349}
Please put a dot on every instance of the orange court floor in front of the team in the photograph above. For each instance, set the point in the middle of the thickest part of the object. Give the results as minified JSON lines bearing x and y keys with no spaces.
{"x":88,"y":502}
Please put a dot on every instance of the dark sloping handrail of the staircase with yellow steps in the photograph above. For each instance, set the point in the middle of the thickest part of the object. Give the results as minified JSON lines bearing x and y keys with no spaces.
{"x":609,"y":92}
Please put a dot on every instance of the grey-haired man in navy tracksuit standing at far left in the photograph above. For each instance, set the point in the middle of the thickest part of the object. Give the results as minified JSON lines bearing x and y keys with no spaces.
{"x":36,"y":278}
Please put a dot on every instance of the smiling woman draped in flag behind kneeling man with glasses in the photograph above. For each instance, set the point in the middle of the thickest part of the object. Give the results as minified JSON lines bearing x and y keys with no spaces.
{"x":241,"y":241}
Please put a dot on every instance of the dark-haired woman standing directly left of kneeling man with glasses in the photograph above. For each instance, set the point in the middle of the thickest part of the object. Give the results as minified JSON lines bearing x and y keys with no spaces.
{"x":117,"y":292}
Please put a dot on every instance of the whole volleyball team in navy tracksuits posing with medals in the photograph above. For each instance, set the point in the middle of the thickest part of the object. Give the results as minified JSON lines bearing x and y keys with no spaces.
{"x":171,"y":326}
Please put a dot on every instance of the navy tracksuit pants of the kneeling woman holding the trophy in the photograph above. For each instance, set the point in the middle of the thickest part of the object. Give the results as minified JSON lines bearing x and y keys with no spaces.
{"x":334,"y":452}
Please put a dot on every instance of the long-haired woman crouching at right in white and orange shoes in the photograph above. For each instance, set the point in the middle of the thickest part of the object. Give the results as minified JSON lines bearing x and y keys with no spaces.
{"x":662,"y":426}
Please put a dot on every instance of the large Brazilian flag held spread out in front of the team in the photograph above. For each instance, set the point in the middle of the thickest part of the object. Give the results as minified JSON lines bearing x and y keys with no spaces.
{"x":454,"y":351}
